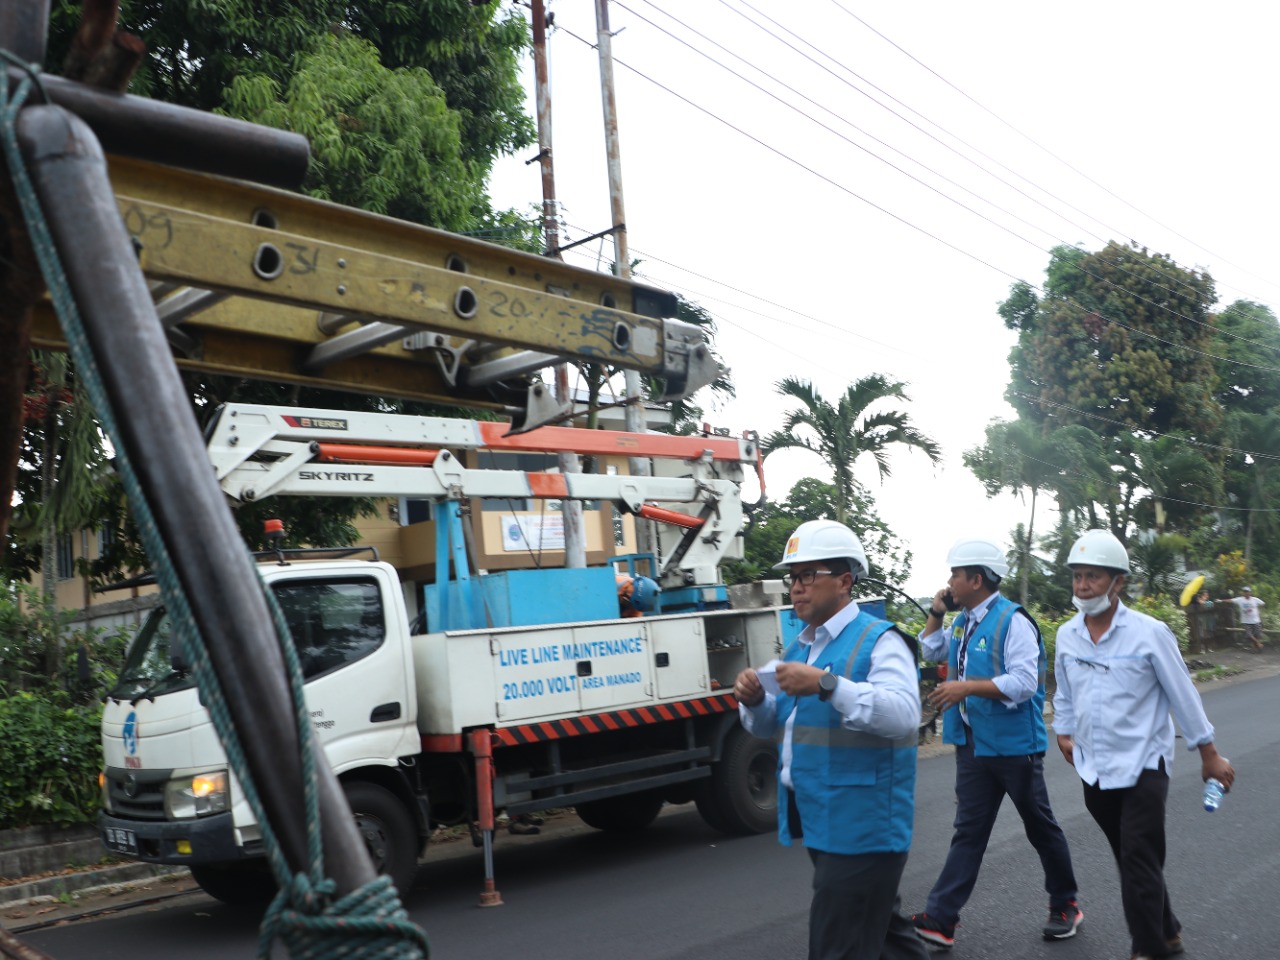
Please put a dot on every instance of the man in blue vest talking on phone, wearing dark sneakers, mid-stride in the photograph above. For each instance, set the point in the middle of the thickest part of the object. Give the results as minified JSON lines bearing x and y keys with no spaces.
{"x":994,"y":702}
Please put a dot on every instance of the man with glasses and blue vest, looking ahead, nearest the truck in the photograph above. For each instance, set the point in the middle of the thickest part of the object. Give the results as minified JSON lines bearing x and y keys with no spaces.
{"x":845,"y":706}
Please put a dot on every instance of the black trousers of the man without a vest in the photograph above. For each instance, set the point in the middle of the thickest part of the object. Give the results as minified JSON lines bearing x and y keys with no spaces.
{"x":1133,"y":821}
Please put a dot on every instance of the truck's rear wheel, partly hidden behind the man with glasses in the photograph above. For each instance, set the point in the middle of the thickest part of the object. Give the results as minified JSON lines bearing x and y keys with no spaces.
{"x":742,"y":796}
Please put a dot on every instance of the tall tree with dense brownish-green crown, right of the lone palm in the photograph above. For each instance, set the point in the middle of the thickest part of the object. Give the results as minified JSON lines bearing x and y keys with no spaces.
{"x":1119,"y":344}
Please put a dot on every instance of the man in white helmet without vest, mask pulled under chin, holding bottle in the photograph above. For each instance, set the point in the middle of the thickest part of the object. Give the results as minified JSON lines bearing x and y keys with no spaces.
{"x":1119,"y":675}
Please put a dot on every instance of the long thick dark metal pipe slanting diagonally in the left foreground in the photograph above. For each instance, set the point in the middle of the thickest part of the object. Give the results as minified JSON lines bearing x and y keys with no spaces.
{"x":158,"y":431}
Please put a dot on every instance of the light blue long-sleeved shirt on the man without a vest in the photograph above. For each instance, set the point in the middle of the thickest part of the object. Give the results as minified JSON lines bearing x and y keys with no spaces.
{"x":1114,"y":698}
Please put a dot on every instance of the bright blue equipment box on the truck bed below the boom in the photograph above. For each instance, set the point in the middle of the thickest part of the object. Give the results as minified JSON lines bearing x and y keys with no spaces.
{"x":527,"y":598}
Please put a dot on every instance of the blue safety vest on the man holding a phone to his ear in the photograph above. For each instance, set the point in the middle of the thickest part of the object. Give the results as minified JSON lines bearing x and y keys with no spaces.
{"x":998,"y":729}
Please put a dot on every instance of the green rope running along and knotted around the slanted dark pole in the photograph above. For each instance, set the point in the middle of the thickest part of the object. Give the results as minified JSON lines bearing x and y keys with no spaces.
{"x":369,"y":922}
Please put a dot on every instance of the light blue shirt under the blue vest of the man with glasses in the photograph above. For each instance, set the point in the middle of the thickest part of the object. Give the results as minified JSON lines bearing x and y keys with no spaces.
{"x":886,"y":705}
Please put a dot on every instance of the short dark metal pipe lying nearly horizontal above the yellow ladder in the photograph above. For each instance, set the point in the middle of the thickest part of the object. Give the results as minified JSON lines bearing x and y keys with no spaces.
{"x":179,"y":136}
